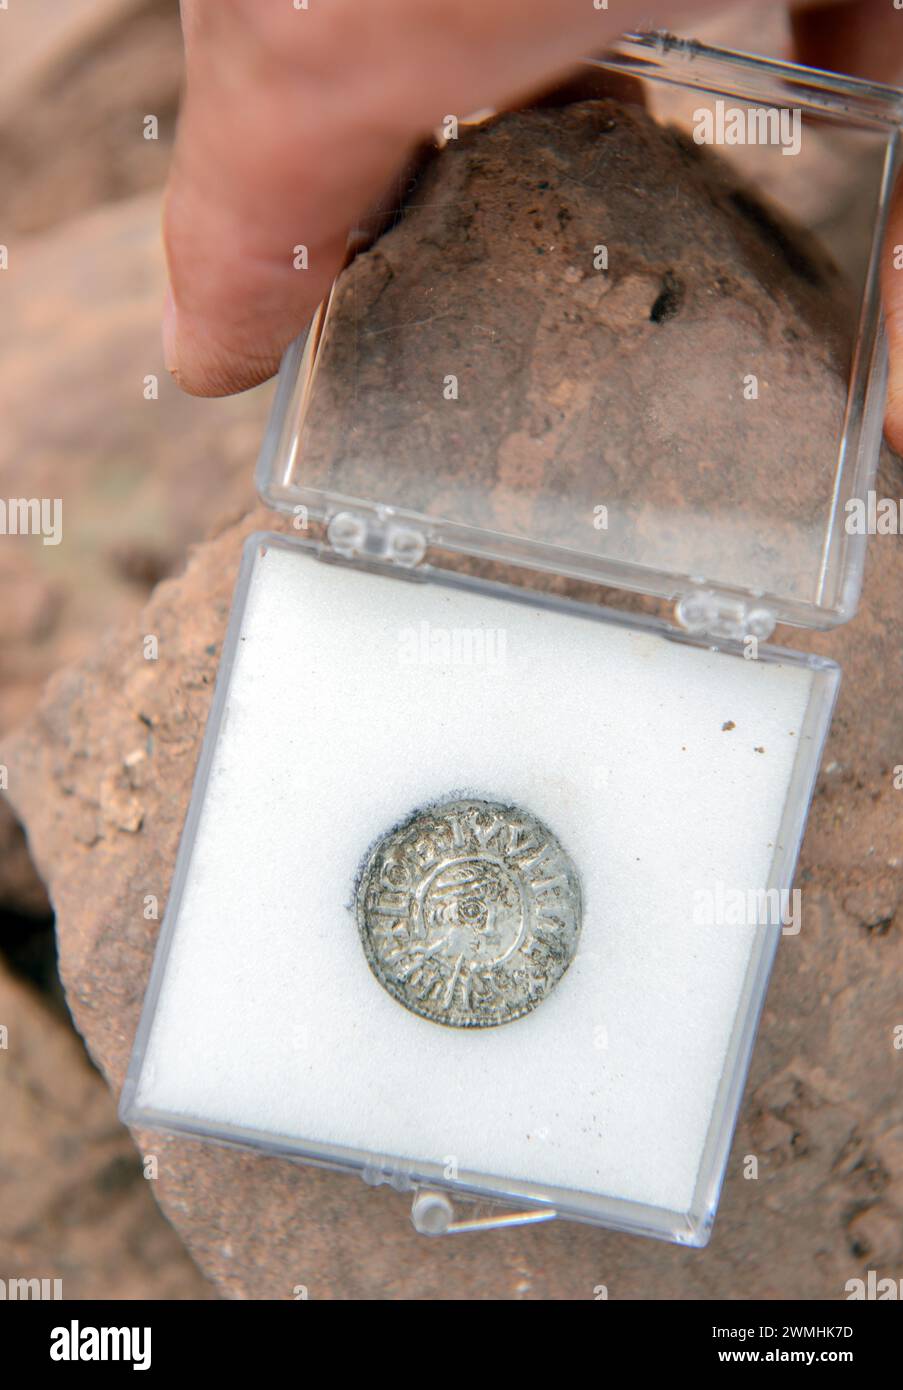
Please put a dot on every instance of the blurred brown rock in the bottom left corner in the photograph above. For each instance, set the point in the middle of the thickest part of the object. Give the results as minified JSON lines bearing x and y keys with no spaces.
{"x":74,"y":1203}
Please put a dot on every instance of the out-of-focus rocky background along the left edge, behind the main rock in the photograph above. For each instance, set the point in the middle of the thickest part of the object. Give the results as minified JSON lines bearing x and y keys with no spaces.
{"x":141,"y":479}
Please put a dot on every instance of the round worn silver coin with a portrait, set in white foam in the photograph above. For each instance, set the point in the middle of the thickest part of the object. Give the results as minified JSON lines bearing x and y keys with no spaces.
{"x":469,"y":913}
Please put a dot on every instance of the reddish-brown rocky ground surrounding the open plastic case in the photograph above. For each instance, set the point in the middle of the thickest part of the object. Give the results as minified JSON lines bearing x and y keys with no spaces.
{"x":101,"y":774}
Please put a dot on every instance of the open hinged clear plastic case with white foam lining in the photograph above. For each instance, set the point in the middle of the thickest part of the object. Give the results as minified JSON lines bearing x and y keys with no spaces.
{"x":736,"y":518}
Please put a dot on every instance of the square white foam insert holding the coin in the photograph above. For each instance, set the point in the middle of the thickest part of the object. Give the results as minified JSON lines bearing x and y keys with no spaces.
{"x":269,"y":1015}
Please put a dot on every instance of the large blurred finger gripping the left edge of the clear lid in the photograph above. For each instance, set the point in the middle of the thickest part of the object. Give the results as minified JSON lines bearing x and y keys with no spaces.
{"x":295,"y":122}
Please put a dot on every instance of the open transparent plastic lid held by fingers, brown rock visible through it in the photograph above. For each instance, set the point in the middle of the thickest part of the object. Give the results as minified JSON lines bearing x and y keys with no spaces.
{"x":669,"y":386}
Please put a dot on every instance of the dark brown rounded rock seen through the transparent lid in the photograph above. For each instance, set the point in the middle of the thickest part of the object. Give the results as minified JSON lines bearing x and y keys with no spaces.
{"x":586,"y":332}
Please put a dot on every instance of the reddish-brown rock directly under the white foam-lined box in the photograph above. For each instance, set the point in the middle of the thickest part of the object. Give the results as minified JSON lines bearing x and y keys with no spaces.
{"x":823,"y":1110}
